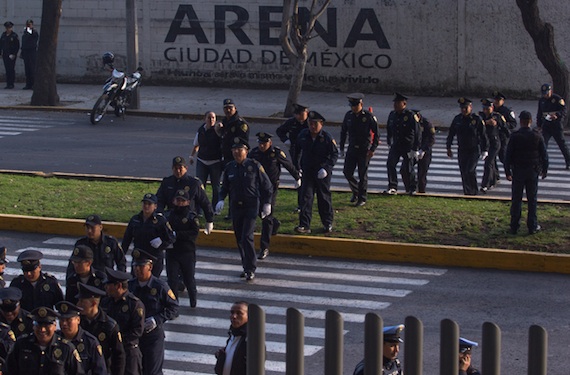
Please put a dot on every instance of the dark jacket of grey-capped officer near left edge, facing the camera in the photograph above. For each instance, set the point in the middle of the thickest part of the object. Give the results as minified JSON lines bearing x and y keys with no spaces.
{"x":47,"y":291}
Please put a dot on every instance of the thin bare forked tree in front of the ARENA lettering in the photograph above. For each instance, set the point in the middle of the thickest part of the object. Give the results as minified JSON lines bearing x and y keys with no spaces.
{"x":296,"y":32}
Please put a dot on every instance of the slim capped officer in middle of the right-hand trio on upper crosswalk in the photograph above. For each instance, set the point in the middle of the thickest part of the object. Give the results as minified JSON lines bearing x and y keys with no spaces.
{"x":494,"y":122}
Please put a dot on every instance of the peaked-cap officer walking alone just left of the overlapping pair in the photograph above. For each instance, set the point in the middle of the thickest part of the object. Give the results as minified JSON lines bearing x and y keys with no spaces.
{"x":362,"y":129}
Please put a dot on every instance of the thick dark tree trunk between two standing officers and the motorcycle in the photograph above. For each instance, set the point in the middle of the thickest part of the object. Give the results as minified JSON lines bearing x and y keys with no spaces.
{"x":45,"y":86}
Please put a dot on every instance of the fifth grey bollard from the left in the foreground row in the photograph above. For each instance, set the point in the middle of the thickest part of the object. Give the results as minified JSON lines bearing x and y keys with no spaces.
{"x":413,"y":346}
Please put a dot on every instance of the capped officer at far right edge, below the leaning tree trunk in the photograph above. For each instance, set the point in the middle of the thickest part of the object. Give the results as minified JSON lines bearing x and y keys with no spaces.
{"x":550,"y":119}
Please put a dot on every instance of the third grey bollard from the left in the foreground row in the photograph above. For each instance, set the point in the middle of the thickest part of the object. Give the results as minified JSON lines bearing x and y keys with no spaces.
{"x":334,"y":342}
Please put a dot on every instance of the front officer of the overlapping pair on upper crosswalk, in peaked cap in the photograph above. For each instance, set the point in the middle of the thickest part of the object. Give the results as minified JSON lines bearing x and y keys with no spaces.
{"x":404,"y":137}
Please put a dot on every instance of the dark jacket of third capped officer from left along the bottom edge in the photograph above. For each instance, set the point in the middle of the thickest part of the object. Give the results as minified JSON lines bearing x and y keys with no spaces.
{"x":106,"y":330}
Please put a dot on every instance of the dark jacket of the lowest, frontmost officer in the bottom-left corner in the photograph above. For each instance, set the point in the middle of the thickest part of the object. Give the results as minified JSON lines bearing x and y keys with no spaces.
{"x":59,"y":358}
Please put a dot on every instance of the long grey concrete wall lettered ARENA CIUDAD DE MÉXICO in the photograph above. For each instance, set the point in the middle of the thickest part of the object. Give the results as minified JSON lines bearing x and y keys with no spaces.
{"x":433,"y":47}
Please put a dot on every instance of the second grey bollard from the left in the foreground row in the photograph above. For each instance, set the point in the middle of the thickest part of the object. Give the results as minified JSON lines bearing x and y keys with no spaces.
{"x":295,"y":343}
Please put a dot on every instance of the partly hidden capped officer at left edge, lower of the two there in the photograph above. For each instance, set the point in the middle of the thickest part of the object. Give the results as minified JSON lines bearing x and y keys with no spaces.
{"x":12,"y":314}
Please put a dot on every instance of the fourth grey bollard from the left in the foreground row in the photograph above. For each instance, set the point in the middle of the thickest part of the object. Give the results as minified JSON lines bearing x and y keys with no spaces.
{"x":373,"y":342}
